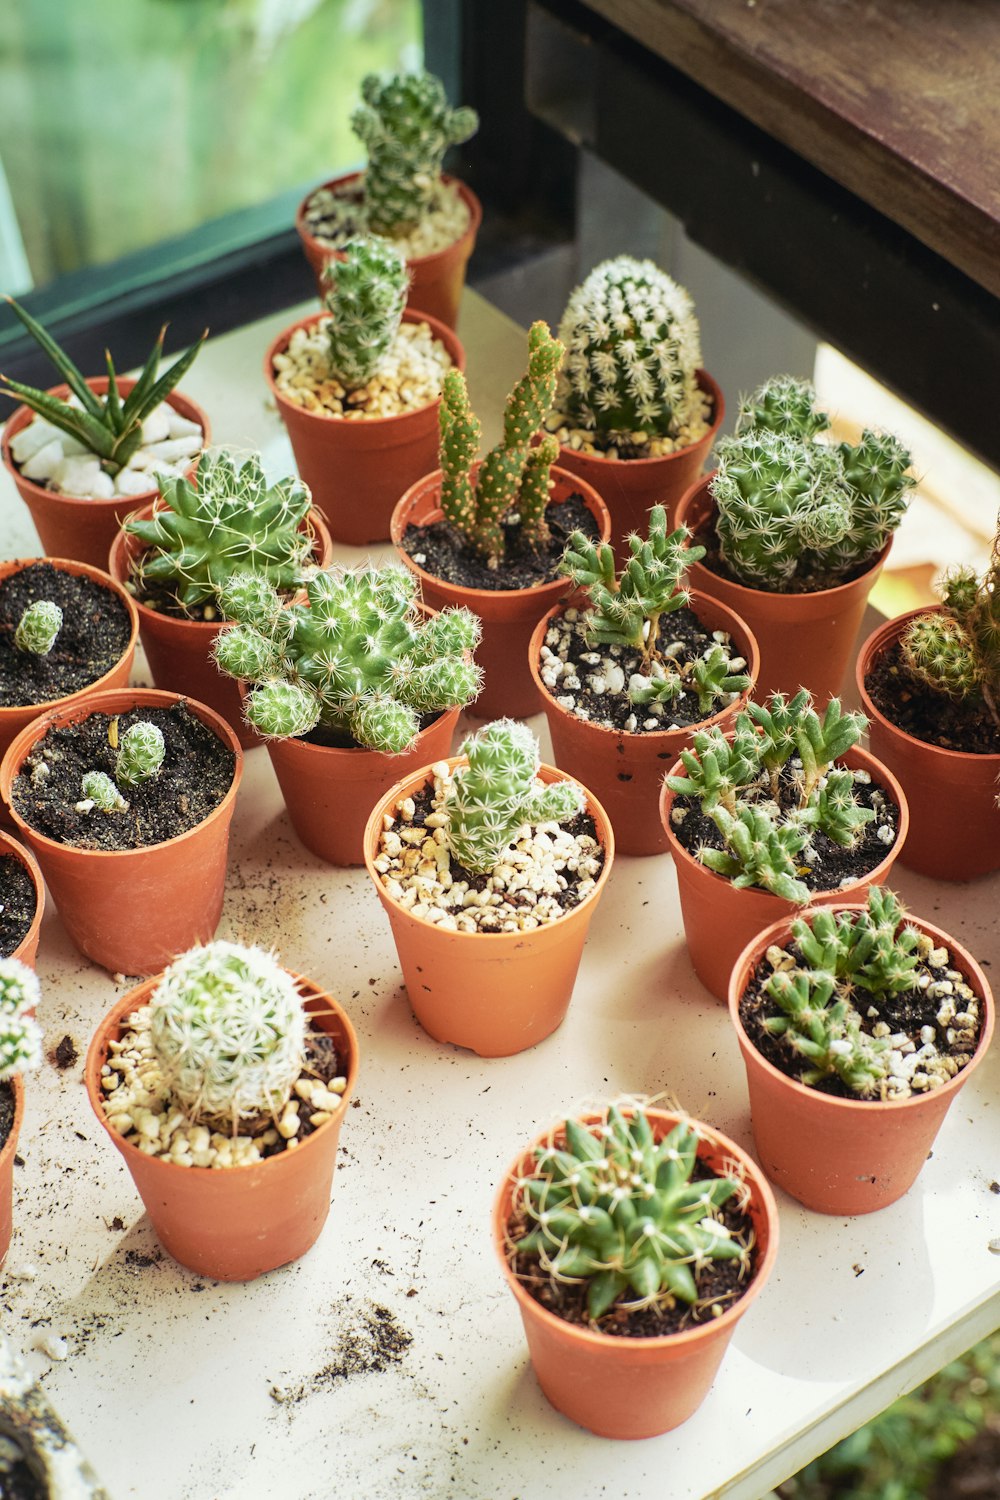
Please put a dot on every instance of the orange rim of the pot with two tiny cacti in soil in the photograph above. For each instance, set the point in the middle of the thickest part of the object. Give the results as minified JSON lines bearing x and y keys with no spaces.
{"x":109,"y":701}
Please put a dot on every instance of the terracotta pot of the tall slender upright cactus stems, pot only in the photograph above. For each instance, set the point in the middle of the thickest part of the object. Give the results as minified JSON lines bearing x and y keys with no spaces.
{"x":509,"y":614}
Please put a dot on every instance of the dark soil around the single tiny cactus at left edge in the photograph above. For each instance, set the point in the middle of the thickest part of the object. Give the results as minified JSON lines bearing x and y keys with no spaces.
{"x":94,"y":635}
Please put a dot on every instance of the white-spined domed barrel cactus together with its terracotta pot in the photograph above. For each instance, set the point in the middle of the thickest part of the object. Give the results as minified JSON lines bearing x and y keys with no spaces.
{"x":635,"y":413}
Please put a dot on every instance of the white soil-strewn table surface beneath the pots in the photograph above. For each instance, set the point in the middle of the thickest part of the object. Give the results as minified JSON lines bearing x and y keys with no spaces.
{"x":169,"y":1378}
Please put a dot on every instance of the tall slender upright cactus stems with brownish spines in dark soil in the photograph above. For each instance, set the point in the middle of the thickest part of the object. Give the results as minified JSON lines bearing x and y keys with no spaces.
{"x":515,"y":475}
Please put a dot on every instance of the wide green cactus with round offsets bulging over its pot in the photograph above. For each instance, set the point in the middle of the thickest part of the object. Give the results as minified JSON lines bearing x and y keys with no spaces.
{"x":356,"y":658}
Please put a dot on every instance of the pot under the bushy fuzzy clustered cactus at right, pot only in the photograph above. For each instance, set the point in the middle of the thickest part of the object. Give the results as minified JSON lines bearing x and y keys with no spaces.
{"x":806,"y":640}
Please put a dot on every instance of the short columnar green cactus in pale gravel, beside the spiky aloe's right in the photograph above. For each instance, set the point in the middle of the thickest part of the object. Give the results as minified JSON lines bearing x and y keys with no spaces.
{"x":365,"y":296}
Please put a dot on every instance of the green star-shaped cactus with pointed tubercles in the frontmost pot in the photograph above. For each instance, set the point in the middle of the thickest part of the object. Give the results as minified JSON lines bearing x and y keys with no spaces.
{"x":620,"y":1211}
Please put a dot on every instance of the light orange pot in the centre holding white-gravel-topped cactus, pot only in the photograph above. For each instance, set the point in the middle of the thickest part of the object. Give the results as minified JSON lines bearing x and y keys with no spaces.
{"x":497,"y":994}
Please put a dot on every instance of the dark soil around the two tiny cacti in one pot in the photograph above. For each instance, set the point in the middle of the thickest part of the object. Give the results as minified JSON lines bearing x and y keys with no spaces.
{"x":194,"y":779}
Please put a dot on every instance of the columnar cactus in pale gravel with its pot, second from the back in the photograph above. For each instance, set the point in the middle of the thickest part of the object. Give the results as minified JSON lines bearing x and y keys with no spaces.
{"x":359,"y":389}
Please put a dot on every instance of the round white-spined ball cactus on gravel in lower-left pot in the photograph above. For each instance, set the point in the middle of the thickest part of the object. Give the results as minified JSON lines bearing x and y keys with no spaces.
{"x":229,"y":1030}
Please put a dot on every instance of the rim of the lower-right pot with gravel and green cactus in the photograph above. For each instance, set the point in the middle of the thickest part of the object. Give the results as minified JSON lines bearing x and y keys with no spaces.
{"x":782,"y":931}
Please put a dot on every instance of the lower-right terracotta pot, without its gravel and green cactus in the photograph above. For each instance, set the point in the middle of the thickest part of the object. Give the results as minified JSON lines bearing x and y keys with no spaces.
{"x":845,"y":1156}
